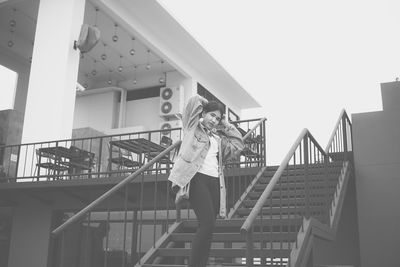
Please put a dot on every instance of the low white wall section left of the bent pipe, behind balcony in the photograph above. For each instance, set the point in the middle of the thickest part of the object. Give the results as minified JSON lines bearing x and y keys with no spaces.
{"x":95,"y":111}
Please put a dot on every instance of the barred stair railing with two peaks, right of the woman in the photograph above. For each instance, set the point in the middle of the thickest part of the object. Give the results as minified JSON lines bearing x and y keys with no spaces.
{"x":302,"y":187}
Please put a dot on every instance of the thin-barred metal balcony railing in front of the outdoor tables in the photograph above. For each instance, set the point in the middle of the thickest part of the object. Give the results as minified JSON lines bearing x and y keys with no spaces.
{"x":109,"y":155}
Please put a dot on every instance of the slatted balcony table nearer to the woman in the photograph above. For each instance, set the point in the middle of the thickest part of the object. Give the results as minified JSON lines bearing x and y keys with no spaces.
{"x":138,"y":146}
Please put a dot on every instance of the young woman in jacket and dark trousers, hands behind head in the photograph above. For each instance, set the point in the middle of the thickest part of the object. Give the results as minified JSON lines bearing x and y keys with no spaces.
{"x":208,"y":142}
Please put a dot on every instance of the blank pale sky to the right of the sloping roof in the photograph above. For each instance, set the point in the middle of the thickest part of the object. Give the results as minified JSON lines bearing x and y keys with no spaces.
{"x":304,"y":61}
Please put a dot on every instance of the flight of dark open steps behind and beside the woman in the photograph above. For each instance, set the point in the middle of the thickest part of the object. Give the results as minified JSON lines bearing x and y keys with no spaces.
{"x":280,"y":225}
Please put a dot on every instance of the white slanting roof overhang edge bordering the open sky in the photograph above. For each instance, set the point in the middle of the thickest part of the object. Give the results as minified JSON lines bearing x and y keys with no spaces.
{"x":163,"y":34}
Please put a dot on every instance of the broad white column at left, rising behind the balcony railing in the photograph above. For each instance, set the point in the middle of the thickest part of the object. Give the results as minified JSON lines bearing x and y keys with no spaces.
{"x":51,"y":91}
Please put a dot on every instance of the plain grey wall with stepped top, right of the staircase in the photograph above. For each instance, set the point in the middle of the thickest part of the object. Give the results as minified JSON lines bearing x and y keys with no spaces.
{"x":377,"y":166}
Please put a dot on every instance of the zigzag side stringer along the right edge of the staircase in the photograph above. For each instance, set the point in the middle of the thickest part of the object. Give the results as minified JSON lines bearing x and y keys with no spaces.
{"x":314,"y":228}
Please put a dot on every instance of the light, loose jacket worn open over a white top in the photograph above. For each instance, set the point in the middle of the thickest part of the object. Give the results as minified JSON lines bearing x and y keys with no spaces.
{"x":195,"y":145}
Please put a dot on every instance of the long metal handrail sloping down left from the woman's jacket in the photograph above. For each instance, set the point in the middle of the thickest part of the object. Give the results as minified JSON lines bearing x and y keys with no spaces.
{"x":115,"y":188}
